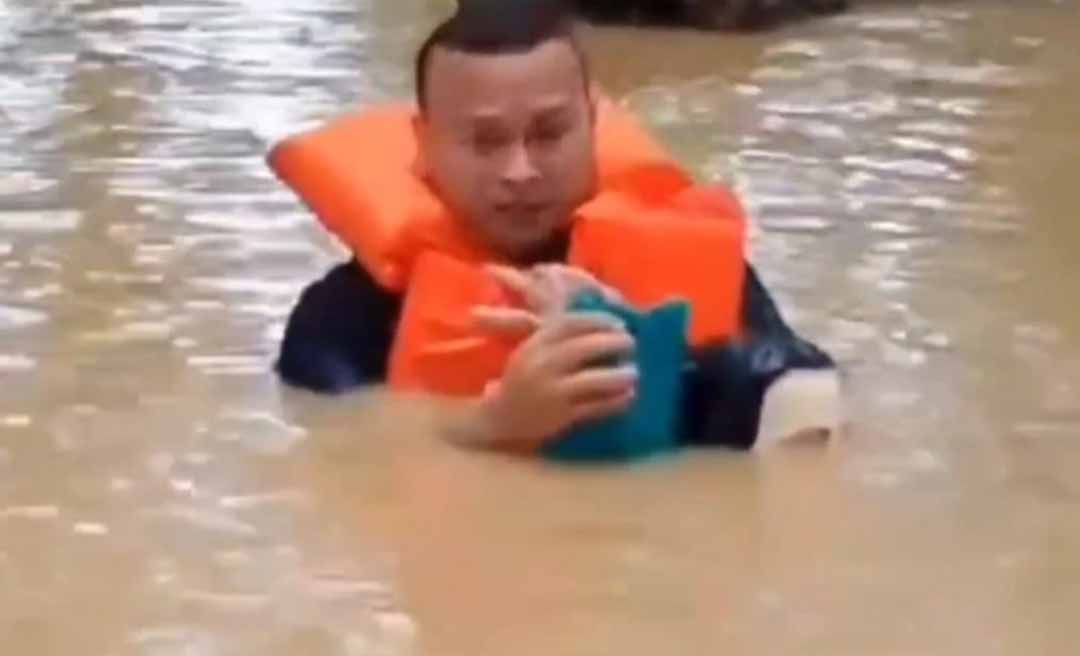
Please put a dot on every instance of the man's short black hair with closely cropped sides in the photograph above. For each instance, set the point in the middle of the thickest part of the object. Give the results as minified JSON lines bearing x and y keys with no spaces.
{"x":498,"y":28}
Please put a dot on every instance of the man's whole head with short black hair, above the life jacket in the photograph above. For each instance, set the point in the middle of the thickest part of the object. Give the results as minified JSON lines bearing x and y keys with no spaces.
{"x":506,"y":122}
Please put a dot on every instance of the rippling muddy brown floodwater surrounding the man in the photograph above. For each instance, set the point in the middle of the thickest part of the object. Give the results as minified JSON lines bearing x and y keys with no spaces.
{"x":912,"y":171}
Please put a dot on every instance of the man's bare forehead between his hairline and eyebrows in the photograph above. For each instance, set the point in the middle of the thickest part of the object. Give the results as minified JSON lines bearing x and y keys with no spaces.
{"x":463,"y":85}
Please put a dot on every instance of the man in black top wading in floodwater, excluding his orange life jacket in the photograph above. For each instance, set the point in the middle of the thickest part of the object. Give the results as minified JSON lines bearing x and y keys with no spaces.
{"x":506,"y":136}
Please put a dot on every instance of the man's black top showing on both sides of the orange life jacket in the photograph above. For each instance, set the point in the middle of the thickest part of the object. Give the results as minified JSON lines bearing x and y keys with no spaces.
{"x":341,"y":332}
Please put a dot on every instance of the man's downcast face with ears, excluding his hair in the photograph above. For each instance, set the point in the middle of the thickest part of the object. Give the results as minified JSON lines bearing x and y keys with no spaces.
{"x":508,"y":142}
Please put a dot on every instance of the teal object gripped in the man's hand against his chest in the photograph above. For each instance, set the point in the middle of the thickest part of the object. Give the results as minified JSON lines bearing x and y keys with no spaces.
{"x":651,"y":425}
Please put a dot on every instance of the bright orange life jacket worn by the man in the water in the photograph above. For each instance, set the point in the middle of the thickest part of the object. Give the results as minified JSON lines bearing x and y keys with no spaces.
{"x":651,"y":233}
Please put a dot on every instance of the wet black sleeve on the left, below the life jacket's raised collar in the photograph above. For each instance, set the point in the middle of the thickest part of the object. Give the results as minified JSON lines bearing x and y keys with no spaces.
{"x":340,"y":334}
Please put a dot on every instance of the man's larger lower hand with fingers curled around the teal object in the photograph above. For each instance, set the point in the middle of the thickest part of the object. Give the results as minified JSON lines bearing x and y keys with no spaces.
{"x":548,"y":385}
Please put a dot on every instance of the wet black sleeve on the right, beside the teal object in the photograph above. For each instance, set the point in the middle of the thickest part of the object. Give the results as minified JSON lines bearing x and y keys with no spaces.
{"x":726,"y":382}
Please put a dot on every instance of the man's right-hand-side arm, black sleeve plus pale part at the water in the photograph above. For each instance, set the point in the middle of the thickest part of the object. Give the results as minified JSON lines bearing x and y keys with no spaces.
{"x":733,"y":385}
